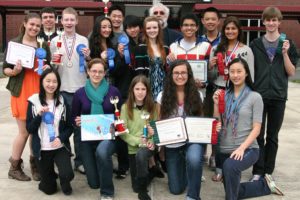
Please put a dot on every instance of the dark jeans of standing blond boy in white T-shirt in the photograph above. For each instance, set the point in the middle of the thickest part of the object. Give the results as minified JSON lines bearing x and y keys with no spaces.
{"x":76,"y":138}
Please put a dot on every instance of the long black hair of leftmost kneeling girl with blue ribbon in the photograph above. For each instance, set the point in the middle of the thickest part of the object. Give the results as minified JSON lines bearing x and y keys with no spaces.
{"x":42,"y":94}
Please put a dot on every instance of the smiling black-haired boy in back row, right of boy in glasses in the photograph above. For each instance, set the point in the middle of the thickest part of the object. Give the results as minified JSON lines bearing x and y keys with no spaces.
{"x":211,"y":20}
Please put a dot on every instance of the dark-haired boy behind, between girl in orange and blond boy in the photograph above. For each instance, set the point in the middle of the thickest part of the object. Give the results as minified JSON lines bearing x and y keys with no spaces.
{"x":48,"y":32}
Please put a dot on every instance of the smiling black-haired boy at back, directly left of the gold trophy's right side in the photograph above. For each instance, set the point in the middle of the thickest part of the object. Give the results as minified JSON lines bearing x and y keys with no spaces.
{"x":116,"y":14}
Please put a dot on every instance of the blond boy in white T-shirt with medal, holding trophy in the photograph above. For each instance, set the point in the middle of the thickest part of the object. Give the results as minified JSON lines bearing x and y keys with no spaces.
{"x":71,"y":77}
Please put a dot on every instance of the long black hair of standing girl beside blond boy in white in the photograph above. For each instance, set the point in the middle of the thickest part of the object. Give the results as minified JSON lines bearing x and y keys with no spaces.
{"x":96,"y":37}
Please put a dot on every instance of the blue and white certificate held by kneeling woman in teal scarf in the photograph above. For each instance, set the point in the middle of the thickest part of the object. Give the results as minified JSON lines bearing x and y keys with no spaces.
{"x":97,"y":127}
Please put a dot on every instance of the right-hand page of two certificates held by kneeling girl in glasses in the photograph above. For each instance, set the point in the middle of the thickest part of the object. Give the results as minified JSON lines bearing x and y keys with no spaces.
{"x":199,"y":130}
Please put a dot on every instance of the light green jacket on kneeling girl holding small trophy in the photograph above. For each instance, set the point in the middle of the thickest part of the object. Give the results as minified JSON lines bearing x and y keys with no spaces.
{"x":135,"y":127}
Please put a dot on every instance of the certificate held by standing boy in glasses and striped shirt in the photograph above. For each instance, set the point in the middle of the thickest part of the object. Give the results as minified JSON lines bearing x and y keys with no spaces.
{"x":199,"y":68}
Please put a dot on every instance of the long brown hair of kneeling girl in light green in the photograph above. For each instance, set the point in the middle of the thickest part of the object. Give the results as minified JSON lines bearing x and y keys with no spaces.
{"x":149,"y":104}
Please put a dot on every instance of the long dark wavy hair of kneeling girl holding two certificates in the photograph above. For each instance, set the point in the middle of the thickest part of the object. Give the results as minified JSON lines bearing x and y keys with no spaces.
{"x":192,"y":100}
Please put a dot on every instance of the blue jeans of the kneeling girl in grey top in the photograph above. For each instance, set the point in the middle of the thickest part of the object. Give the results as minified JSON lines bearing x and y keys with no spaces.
{"x":232,"y":170}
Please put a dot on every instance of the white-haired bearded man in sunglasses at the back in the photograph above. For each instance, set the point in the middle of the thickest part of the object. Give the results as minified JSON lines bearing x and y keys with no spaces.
{"x":162,"y":13}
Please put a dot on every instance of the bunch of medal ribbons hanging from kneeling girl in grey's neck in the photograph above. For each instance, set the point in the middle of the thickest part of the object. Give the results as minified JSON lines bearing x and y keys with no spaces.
{"x":233,"y":105}
